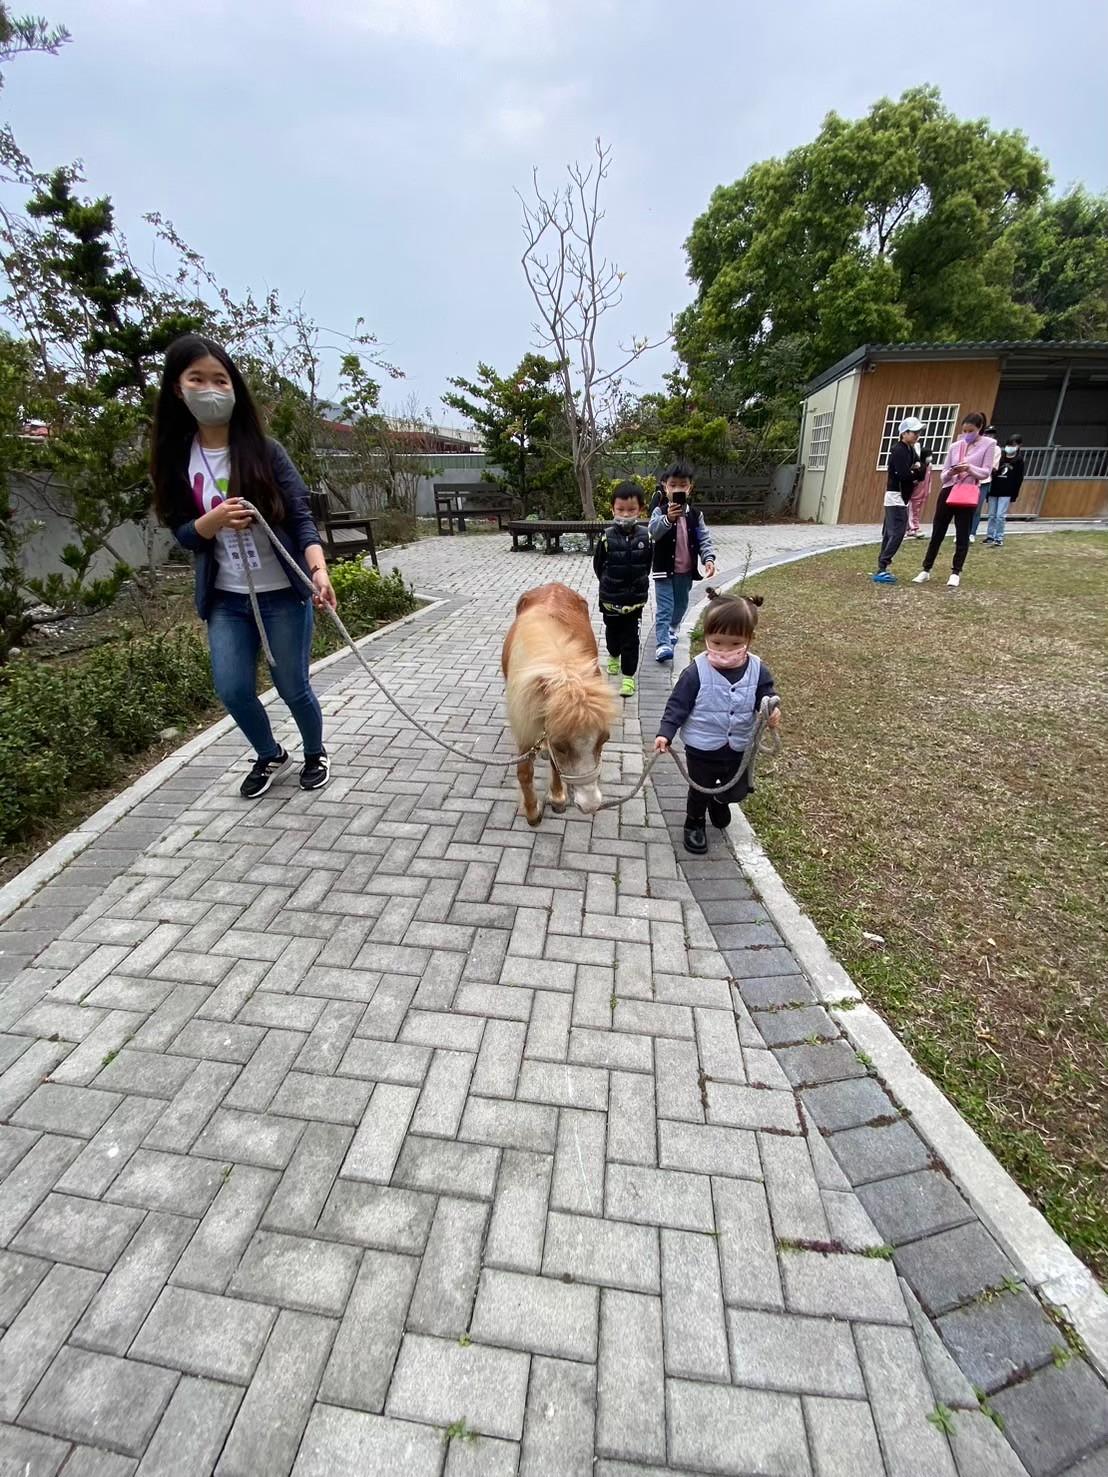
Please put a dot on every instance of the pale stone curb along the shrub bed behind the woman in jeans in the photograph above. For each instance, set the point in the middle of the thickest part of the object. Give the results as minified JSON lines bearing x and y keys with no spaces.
{"x":47,"y":868}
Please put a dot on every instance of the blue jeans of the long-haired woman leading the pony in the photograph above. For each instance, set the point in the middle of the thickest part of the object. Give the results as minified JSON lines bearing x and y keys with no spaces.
{"x":236,"y":645}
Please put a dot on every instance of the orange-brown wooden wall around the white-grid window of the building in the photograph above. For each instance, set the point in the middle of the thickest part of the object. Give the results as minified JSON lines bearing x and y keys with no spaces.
{"x":968,"y":383}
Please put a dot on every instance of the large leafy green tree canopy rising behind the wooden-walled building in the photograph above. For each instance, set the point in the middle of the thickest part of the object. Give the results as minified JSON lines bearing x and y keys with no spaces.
{"x":906,"y":224}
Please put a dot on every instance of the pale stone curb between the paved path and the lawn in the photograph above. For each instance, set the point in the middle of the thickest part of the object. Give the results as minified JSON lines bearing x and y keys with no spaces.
{"x":1042,"y":1256}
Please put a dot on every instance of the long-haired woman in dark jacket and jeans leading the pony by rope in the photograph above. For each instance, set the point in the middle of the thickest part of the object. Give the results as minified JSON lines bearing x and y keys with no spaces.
{"x":211,"y":457}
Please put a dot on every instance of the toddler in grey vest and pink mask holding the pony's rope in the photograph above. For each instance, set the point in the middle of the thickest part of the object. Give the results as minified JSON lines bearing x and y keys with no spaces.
{"x":714,"y":704}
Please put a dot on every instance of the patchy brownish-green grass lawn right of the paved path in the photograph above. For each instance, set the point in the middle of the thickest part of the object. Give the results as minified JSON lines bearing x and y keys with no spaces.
{"x":945,"y":787}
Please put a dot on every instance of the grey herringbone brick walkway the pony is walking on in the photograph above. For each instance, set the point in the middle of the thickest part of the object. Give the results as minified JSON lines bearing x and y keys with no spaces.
{"x":377,"y":1134}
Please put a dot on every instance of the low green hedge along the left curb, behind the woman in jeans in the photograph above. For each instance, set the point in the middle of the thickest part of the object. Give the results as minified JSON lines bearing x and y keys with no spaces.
{"x":66,"y":726}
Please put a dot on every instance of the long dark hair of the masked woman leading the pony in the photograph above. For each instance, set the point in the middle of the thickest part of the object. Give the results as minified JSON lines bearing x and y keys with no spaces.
{"x":175,"y":428}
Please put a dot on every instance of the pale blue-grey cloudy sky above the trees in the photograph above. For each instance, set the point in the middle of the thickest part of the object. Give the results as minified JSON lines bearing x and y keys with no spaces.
{"x":364,"y":153}
